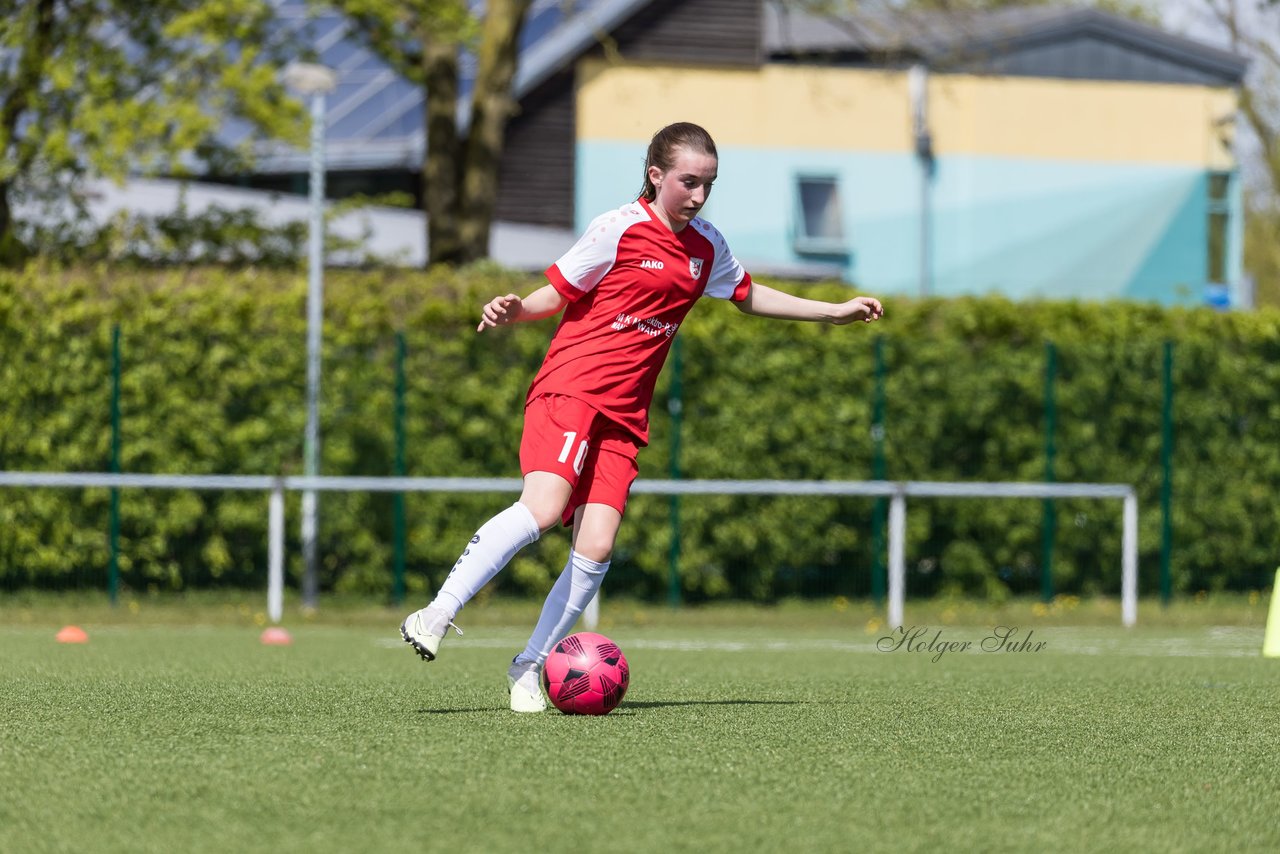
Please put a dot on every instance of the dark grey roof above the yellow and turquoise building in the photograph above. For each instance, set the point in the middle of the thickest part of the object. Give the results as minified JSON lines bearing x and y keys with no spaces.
{"x":1053,"y":42}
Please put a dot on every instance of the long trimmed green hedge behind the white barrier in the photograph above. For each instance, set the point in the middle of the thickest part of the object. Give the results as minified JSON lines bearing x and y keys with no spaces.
{"x":214,"y":383}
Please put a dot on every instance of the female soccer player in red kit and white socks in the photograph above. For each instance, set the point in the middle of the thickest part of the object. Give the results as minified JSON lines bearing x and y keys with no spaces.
{"x":625,"y":287}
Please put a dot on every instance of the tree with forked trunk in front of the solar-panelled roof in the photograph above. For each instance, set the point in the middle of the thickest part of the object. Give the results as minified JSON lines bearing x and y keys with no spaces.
{"x":424,"y":42}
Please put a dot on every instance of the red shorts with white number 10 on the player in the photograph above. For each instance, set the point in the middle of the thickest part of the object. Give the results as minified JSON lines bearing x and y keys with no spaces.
{"x":569,"y":439}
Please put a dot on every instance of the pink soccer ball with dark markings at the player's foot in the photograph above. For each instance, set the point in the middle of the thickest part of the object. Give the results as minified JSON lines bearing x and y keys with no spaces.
{"x":587,"y":674}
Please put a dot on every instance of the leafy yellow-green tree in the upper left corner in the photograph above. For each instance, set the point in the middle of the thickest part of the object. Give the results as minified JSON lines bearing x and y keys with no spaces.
{"x":115,"y":88}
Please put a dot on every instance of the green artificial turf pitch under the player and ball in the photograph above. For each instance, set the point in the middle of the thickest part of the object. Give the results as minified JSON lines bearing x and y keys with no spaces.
{"x":743,"y":732}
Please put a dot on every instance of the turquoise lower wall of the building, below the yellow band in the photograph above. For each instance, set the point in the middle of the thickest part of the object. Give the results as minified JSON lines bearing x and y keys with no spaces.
{"x":1025,"y":229}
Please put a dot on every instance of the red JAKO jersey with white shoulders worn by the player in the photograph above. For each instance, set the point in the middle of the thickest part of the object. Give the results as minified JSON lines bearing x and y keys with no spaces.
{"x":630,"y":282}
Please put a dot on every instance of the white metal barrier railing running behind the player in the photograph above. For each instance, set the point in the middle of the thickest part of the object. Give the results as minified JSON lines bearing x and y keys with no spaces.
{"x":898,"y":494}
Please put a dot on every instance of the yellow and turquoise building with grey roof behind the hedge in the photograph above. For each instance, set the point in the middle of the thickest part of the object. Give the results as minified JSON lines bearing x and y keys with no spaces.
{"x":1060,"y":154}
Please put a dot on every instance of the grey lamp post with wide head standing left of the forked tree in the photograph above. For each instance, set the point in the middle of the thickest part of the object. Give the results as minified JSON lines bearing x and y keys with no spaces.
{"x":314,"y":81}
